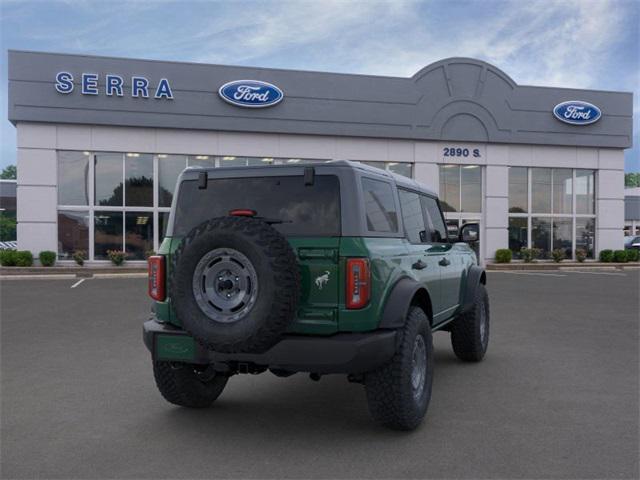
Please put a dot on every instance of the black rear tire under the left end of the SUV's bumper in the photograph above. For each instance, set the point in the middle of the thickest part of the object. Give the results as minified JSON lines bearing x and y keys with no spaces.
{"x":180,"y":384}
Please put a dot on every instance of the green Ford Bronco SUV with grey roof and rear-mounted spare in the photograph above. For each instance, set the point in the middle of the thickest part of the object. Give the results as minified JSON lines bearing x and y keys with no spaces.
{"x":324,"y":268}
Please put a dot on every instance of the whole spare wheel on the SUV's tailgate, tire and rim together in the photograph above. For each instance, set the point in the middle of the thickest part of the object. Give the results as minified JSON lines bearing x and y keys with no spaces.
{"x":235,"y":284}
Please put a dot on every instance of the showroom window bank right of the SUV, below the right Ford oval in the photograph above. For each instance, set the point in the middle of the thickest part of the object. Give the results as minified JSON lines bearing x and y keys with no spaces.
{"x":551,"y":208}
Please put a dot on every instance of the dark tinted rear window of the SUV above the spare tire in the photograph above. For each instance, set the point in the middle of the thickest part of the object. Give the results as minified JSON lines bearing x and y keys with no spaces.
{"x":305,"y":210}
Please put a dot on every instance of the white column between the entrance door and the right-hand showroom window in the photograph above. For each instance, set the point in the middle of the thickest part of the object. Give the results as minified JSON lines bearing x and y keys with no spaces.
{"x":496,"y":210}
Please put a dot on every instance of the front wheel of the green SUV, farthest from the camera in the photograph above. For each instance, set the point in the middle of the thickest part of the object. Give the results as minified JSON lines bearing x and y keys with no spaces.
{"x":468,"y":336}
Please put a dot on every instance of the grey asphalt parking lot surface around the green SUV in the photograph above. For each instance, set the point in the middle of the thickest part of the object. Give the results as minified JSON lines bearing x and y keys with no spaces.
{"x":556,"y":397}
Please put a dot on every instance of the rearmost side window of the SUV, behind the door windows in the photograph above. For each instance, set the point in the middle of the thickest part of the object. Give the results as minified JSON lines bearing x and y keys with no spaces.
{"x":379,"y":205}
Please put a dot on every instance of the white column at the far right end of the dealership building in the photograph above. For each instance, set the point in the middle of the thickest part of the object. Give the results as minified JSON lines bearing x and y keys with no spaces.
{"x":610,"y":200}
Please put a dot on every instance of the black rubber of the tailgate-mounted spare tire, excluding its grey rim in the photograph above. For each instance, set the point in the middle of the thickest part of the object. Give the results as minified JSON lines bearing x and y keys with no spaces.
{"x":278,"y":279}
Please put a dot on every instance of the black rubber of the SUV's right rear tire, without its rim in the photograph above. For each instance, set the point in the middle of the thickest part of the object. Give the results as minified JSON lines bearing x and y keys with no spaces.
{"x":390,"y":393}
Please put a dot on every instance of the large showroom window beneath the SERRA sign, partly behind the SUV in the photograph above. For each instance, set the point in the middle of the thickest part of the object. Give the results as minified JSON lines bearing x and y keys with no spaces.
{"x":122,"y":200}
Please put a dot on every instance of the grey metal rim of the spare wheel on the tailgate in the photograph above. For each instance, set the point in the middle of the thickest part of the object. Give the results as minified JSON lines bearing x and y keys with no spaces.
{"x":225,"y":285}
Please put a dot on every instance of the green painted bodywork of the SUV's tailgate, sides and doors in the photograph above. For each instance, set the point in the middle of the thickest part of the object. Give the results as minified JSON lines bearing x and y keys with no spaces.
{"x":322,"y":262}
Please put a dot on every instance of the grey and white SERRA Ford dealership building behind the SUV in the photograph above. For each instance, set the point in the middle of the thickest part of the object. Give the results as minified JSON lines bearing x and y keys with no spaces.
{"x":102,"y":140}
